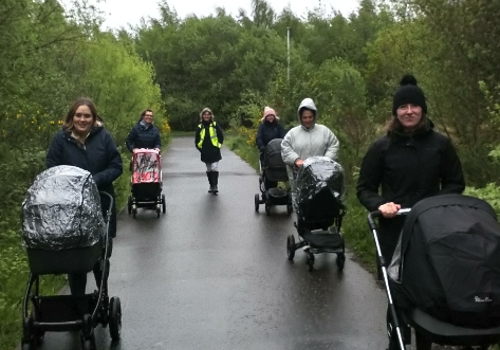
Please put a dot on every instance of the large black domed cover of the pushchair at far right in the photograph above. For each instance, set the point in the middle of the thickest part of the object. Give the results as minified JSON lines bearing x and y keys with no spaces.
{"x":447,"y":262}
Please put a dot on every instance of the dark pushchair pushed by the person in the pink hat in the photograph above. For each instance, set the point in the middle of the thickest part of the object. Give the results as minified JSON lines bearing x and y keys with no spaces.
{"x":272,"y":170}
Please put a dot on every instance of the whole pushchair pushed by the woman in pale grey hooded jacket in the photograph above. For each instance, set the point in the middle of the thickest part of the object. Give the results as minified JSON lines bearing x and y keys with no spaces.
{"x":319,"y":191}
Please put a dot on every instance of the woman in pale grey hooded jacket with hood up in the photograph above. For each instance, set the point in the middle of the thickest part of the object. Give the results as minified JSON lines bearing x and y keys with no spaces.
{"x":307,"y":140}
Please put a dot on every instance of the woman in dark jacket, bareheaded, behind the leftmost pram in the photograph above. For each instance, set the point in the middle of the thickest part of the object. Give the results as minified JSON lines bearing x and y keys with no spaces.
{"x":83,"y":142}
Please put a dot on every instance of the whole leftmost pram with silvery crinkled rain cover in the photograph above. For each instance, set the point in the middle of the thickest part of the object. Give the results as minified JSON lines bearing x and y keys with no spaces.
{"x":65,"y":233}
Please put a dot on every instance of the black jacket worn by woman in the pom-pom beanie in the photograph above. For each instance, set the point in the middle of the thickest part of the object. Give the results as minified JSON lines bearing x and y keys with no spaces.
{"x":408,"y":169}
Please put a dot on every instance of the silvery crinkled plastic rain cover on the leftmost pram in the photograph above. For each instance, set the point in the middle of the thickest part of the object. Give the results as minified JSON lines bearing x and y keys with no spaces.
{"x":62,"y":210}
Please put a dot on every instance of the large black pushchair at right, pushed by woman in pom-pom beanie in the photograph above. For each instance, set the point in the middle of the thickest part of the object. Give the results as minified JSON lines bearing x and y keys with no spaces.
{"x":444,"y":278}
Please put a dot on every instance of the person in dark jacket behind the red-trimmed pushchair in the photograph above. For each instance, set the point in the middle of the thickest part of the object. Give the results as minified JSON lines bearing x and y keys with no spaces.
{"x":144,"y":134}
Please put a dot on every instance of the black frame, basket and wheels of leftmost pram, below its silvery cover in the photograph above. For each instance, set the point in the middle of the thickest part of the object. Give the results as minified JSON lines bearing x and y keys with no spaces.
{"x":63,"y":313}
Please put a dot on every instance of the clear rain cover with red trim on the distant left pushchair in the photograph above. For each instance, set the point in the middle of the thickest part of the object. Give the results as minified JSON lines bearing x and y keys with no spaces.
{"x":146,"y":166}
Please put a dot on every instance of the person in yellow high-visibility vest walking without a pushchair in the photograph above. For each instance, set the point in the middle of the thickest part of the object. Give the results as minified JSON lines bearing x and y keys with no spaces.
{"x":208,"y":140}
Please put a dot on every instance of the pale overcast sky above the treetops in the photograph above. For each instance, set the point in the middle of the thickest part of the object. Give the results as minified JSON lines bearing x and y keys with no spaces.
{"x":119,"y":13}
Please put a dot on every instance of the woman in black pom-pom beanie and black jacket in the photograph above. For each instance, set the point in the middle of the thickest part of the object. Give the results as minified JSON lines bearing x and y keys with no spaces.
{"x":411,"y":162}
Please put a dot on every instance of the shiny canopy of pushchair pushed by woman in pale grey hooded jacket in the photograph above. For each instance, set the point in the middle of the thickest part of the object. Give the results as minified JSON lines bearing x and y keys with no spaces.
{"x":316,"y":174}
